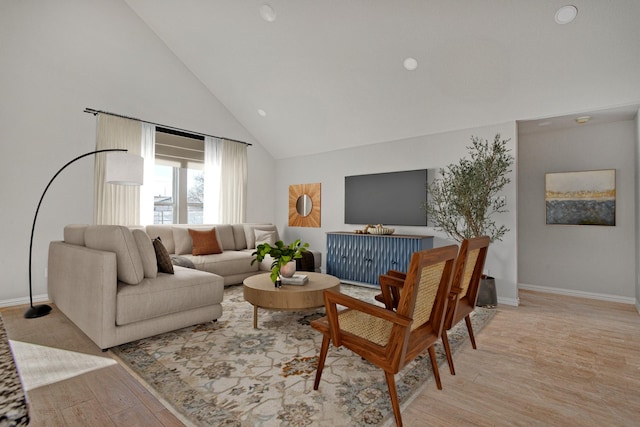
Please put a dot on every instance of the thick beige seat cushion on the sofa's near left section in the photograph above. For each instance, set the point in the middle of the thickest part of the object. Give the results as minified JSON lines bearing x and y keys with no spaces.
{"x":167,"y":294}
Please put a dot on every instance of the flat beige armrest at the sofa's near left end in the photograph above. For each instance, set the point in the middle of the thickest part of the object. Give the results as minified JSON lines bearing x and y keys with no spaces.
{"x":82,"y":283}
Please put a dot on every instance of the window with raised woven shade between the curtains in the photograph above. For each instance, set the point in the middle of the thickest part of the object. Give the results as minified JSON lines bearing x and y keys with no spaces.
{"x":179,"y":178}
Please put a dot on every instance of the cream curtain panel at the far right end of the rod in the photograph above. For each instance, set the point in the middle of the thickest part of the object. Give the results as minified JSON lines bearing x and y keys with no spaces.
{"x":233,"y":183}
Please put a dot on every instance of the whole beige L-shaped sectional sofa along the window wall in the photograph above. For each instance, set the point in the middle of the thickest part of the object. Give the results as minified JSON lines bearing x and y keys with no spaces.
{"x":105,"y":278}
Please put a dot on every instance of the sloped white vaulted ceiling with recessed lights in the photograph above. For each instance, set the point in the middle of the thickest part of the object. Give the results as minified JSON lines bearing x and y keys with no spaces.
{"x":329,"y":74}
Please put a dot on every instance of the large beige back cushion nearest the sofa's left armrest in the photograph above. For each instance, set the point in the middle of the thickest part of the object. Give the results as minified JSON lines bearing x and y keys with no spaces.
{"x":118,"y":239}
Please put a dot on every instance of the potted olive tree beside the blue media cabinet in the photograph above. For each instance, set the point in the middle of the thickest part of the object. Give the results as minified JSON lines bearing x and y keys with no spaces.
{"x":463,"y":200}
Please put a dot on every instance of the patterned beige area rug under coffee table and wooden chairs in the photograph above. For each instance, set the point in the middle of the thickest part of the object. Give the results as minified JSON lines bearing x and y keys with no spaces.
{"x":226,"y":373}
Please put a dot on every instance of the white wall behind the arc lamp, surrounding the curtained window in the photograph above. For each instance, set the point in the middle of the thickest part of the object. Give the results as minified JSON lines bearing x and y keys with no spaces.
{"x":58,"y":58}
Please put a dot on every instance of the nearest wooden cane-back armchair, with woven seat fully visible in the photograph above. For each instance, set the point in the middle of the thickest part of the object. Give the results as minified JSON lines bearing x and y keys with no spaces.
{"x":390,"y":339}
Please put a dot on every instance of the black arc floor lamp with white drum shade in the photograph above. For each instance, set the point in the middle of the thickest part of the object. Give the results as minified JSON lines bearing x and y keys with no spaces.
{"x":121,"y":168}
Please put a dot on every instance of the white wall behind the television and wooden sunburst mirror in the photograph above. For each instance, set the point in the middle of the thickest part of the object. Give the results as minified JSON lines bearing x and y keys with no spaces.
{"x":431,"y":151}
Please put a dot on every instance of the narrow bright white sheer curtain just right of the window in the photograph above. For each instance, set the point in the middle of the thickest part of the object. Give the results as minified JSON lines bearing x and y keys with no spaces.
{"x":212,"y":160}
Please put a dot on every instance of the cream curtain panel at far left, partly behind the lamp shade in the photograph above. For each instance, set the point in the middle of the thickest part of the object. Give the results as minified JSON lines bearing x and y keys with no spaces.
{"x":115,"y":204}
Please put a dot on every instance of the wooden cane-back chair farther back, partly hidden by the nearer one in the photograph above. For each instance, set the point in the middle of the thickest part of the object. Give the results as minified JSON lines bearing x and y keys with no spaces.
{"x":464,"y":289}
